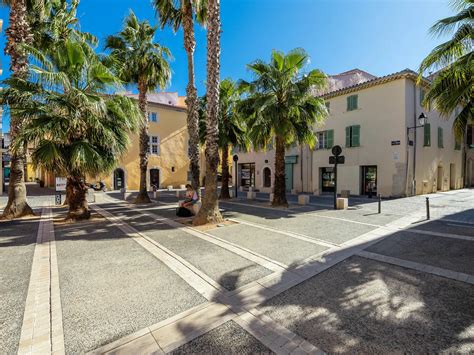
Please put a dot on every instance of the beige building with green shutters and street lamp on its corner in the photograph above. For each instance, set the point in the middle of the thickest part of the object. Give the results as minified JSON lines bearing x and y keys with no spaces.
{"x":371,"y":118}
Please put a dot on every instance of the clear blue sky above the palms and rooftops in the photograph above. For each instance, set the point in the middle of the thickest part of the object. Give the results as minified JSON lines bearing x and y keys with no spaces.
{"x":378,"y":36}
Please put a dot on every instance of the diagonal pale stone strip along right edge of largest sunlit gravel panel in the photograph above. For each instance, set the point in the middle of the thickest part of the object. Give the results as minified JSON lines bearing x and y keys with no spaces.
{"x":194,"y":277}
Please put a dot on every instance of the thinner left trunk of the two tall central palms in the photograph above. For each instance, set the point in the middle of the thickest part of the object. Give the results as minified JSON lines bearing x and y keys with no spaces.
{"x":191,"y":97}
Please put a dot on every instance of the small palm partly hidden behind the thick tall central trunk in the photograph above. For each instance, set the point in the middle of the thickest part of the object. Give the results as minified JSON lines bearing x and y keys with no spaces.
{"x":231,"y":128}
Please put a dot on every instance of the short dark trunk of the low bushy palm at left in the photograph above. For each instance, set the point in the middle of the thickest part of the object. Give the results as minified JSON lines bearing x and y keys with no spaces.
{"x":77,"y":196}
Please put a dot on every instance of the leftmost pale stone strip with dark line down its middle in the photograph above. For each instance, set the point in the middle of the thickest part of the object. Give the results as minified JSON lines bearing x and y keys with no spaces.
{"x":42,"y":330}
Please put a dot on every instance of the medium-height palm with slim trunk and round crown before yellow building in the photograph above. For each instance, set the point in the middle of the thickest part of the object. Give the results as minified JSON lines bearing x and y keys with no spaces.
{"x":142,"y":61}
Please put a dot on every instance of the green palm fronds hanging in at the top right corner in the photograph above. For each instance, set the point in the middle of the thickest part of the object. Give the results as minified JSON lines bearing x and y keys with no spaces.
{"x":452,"y":87}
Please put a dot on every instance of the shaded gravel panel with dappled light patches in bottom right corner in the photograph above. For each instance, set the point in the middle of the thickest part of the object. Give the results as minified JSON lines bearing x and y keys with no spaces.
{"x":364,"y":306}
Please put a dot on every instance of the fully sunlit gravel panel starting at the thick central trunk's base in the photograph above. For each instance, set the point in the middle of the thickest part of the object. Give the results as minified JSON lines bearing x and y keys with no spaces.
{"x":275,"y":246}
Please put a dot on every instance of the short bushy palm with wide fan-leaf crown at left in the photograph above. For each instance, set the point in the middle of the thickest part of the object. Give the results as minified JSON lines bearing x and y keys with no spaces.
{"x":76,"y":129}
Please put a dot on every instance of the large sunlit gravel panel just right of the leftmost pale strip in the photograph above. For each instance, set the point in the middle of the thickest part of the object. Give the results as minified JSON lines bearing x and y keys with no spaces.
{"x":111,"y":286}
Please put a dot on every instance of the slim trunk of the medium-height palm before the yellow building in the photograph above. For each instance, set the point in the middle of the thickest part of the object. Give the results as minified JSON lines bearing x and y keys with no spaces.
{"x":142,"y":196}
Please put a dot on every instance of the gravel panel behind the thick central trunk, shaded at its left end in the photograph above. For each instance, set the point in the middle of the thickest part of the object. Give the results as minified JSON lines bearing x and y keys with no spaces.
{"x":335,"y":231}
